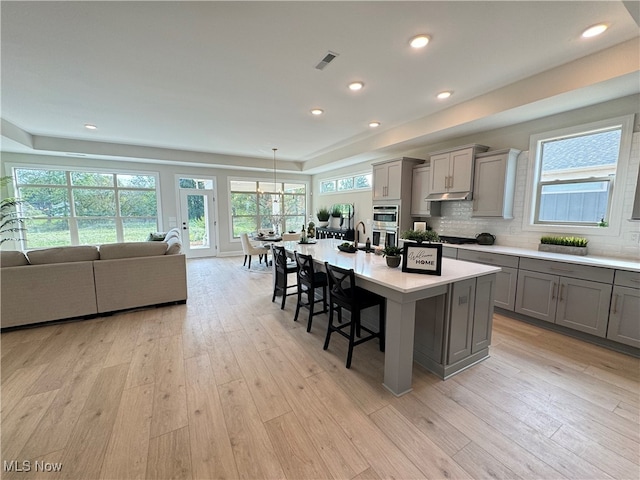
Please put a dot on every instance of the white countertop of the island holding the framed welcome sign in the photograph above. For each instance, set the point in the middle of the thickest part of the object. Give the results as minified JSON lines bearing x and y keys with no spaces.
{"x":374,"y":267}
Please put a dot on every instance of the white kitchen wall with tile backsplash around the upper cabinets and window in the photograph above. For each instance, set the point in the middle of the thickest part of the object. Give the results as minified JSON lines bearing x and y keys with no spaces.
{"x":456,"y":219}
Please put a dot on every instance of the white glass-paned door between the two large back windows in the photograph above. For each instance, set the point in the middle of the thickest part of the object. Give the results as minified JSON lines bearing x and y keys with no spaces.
{"x":198,"y":222}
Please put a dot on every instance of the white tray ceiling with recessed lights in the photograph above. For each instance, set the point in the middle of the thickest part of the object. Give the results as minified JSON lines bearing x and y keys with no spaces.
{"x":222,"y":83}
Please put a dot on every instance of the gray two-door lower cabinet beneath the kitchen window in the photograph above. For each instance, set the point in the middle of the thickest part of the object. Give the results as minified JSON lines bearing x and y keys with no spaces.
{"x":574,"y":303}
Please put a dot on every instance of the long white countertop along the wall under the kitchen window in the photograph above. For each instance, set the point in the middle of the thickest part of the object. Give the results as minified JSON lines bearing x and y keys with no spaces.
{"x":593,"y":261}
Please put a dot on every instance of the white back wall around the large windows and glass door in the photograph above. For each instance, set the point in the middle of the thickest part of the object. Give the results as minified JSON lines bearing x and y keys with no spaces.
{"x":167,"y":173}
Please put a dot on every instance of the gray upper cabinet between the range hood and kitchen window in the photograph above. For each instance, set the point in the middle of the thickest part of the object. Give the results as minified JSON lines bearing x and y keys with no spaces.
{"x":494,"y":183}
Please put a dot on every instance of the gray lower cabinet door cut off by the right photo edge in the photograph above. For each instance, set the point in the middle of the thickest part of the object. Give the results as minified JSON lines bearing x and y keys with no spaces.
{"x":624,"y":313}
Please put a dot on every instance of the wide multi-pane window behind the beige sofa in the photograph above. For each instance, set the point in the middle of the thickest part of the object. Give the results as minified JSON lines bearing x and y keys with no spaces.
{"x":78,"y":207}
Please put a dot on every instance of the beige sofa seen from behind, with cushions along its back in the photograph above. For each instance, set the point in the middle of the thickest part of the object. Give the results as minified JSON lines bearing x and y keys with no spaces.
{"x":82,"y":281}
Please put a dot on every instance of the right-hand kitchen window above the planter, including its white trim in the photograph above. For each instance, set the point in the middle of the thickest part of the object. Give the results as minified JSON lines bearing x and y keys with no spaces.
{"x":574,"y":174}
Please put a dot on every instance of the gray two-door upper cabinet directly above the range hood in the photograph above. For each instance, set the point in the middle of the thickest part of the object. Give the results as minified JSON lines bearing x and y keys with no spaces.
{"x":452,"y":171}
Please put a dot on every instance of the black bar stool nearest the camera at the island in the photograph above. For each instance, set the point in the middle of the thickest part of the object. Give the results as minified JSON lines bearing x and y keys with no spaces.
{"x":344,"y":293}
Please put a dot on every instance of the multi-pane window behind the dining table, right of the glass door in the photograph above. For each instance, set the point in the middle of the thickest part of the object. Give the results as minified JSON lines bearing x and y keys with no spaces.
{"x":259,"y":205}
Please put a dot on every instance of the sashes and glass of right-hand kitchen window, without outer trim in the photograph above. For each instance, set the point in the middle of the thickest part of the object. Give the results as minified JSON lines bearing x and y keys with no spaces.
{"x":576,"y":174}
